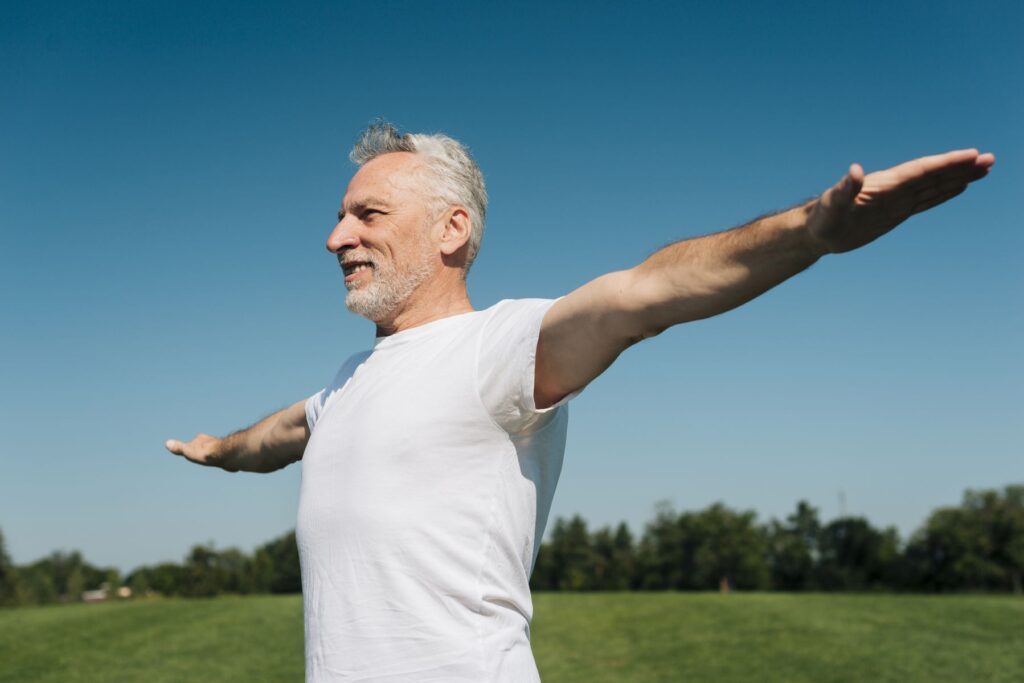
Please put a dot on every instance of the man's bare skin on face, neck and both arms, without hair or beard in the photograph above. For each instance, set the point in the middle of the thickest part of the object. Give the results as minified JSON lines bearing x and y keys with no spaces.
{"x":386,"y":217}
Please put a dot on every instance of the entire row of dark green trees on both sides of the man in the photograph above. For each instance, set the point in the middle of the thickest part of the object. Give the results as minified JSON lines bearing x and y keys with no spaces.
{"x":976,"y":546}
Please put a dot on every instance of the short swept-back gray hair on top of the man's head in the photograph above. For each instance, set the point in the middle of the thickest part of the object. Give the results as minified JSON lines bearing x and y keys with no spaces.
{"x":456,"y":178}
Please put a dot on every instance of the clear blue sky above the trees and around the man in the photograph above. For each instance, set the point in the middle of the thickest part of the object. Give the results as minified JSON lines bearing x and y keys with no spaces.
{"x":172,"y":170}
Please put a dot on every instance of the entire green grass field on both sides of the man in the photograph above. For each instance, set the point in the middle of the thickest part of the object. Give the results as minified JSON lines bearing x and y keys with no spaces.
{"x":577,"y":637}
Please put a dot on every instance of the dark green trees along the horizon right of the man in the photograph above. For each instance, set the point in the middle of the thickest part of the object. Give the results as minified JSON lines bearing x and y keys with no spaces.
{"x":977,"y":546}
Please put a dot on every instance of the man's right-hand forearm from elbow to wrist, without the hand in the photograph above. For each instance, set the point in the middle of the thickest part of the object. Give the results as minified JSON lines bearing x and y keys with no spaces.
{"x":708,"y":276}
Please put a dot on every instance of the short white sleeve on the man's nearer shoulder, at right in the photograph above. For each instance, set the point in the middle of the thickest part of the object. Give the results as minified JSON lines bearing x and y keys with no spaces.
{"x":506,"y":366}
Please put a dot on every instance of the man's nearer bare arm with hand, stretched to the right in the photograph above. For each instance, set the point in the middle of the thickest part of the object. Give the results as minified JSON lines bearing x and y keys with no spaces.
{"x":586,"y":331}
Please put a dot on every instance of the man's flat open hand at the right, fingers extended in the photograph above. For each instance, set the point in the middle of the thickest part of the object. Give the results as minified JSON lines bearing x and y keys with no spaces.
{"x":862,"y":208}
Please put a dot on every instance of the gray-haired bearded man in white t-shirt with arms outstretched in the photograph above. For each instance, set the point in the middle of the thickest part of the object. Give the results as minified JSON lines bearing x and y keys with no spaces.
{"x":431,"y":460}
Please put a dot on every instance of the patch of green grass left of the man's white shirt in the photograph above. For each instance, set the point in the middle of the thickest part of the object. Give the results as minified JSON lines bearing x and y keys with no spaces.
{"x":158,"y":642}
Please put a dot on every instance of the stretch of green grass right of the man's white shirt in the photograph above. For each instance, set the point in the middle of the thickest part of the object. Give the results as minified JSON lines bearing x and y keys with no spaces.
{"x":778,"y":637}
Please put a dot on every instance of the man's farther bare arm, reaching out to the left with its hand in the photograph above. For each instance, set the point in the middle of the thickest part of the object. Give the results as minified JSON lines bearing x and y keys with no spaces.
{"x":272,"y":444}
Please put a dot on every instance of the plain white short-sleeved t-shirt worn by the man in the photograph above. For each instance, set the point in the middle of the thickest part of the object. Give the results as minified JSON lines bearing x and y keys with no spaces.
{"x":426,"y":487}
